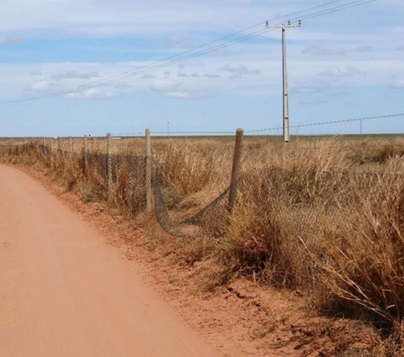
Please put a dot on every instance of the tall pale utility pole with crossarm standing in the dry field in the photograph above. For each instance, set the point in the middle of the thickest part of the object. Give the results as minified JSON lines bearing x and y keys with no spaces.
{"x":286,"y":133}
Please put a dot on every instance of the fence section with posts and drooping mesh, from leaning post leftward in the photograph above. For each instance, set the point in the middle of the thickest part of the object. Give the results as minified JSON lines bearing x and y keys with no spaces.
{"x":134,"y":180}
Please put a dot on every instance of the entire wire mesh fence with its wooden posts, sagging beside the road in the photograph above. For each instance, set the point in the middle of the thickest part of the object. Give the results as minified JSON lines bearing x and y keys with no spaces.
{"x":301,"y":198}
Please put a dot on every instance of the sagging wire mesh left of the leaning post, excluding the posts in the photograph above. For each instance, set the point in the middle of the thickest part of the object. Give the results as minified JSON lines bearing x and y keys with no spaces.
{"x":132,"y":170}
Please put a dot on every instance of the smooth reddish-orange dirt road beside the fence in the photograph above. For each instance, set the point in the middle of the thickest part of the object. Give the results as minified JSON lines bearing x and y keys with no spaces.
{"x":64,"y":292}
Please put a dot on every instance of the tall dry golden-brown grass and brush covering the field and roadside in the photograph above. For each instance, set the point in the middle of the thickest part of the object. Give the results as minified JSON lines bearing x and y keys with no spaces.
{"x":324,"y":217}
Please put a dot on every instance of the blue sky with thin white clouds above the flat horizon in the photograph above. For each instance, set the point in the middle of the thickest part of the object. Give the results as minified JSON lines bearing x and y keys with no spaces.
{"x":342,"y":65}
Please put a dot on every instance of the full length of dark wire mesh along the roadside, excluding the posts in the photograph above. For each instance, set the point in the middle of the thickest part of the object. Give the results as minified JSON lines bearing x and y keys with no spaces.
{"x":300,"y":196}
